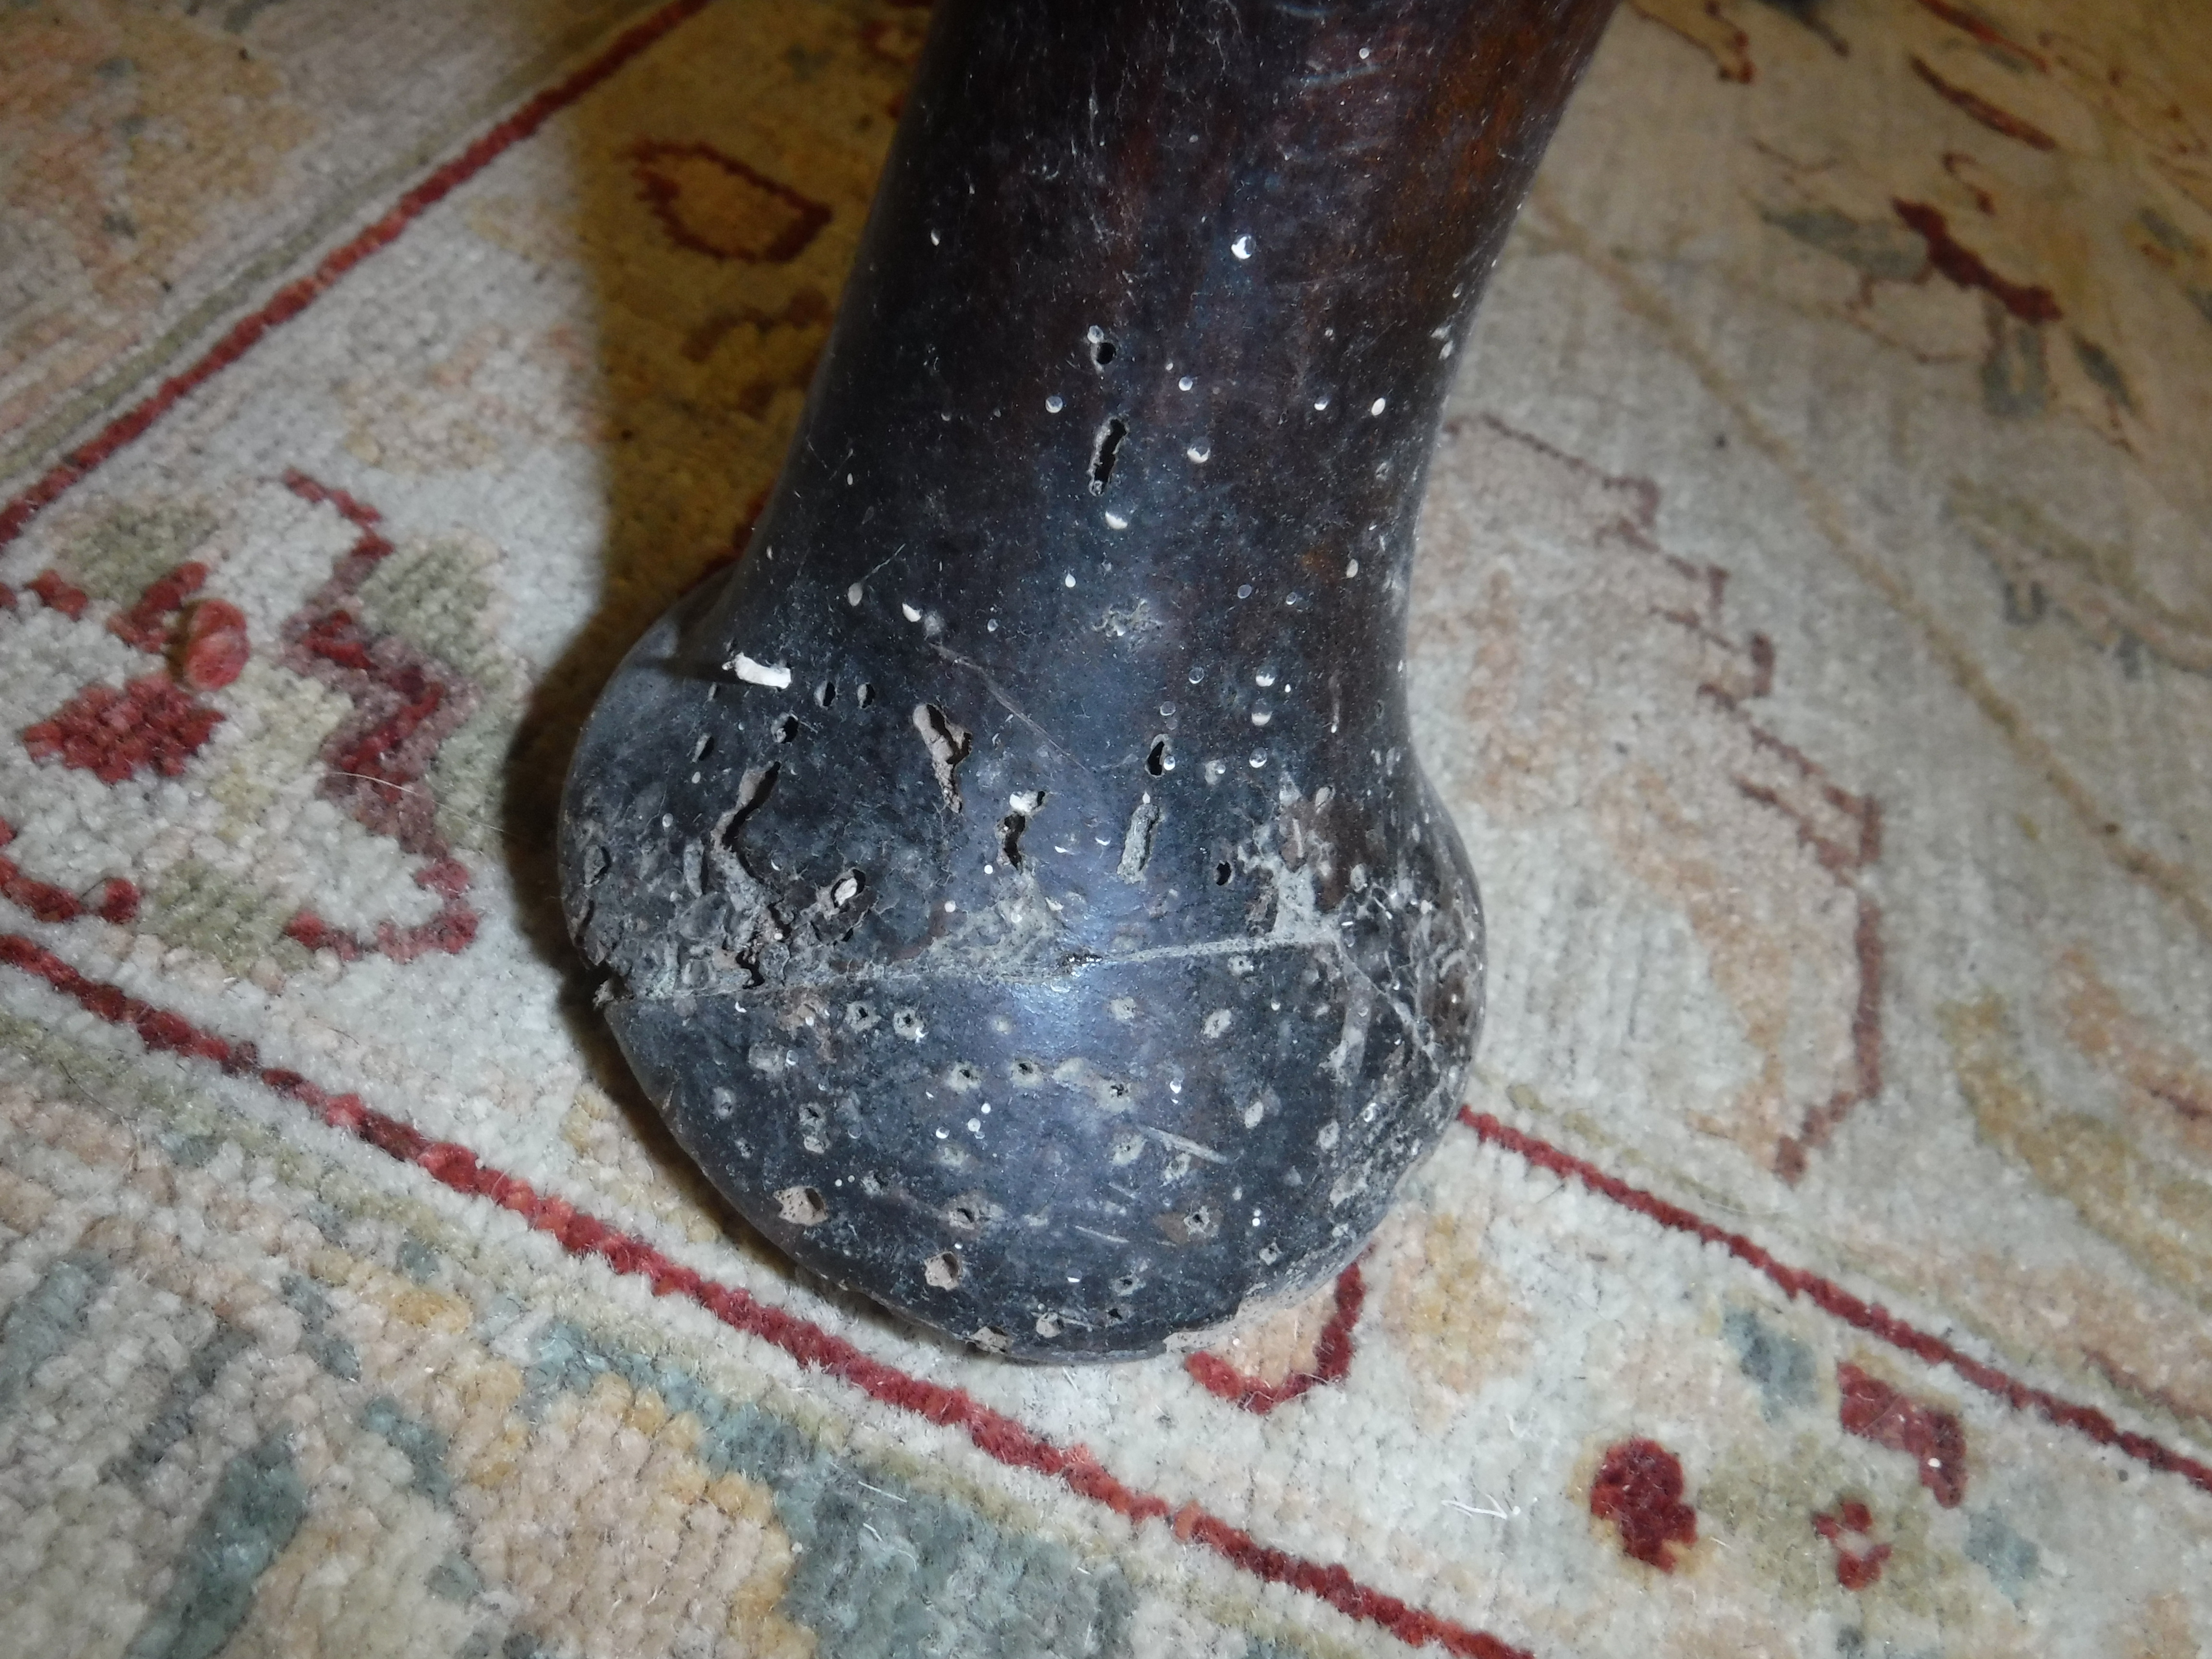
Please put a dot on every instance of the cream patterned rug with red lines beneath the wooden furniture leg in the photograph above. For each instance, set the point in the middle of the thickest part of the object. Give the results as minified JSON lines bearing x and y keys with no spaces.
{"x":1815,"y":640}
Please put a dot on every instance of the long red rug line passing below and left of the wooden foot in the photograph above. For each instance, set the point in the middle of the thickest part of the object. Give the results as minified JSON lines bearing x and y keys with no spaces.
{"x":583,"y":1235}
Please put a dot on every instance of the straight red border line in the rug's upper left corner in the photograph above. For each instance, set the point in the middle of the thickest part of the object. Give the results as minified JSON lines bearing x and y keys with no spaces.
{"x":295,"y":298}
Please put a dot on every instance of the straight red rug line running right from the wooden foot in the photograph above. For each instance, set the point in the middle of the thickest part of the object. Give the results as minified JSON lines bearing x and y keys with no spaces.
{"x":1835,"y":1300}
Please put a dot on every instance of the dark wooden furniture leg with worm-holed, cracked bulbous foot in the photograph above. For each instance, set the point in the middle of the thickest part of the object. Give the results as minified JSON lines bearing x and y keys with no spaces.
{"x":1014,"y":881}
